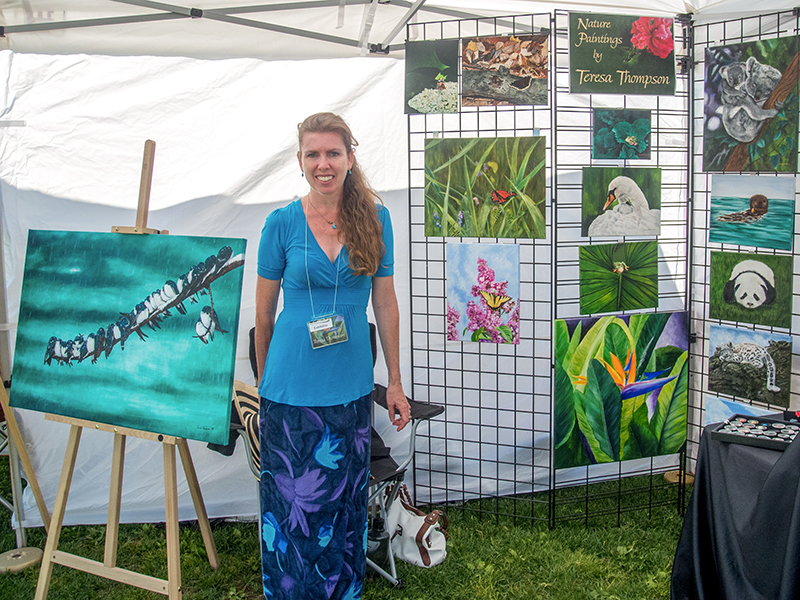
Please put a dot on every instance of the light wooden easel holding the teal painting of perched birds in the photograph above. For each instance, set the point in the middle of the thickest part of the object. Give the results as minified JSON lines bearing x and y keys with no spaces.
{"x":170,"y":587}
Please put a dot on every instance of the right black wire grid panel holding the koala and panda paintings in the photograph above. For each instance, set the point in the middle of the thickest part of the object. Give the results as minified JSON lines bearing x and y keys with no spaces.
{"x":763,"y":27}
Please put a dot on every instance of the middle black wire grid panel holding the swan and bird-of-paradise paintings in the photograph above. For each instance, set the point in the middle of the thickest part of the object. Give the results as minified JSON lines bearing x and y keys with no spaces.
{"x":669,"y":143}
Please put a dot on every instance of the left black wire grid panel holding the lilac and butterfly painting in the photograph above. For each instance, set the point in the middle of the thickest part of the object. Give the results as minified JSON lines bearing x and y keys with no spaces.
{"x":493,"y":442}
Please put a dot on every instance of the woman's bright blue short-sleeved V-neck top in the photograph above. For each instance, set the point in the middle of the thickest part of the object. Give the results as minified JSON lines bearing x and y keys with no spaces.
{"x":294,"y":372}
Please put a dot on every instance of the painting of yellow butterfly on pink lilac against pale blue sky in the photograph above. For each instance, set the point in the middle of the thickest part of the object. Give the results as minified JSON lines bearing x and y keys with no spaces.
{"x":483,"y":293}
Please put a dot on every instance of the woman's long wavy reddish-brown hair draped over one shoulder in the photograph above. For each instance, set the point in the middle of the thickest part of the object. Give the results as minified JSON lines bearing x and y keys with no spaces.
{"x":358,"y":218}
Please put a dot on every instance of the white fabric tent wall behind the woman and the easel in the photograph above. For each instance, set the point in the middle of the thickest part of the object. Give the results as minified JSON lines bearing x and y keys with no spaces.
{"x":225,"y":131}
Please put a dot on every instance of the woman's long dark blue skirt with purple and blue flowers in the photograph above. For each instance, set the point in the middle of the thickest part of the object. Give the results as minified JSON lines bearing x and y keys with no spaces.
{"x":314,"y":490}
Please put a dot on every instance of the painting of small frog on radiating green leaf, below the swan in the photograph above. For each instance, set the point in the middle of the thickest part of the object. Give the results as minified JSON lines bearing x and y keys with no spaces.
{"x":618,"y":277}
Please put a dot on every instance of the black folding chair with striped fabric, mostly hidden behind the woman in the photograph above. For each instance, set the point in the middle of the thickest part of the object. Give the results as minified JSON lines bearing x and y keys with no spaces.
{"x":384,"y":470}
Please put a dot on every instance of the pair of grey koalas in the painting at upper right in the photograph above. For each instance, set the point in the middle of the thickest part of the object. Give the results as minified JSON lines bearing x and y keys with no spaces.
{"x":745,"y":88}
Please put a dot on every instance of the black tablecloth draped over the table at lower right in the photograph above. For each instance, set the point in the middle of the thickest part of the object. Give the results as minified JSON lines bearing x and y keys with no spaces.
{"x":741,"y":534}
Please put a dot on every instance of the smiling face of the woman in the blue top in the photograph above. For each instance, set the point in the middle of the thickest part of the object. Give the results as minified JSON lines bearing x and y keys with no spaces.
{"x":325,"y":162}
